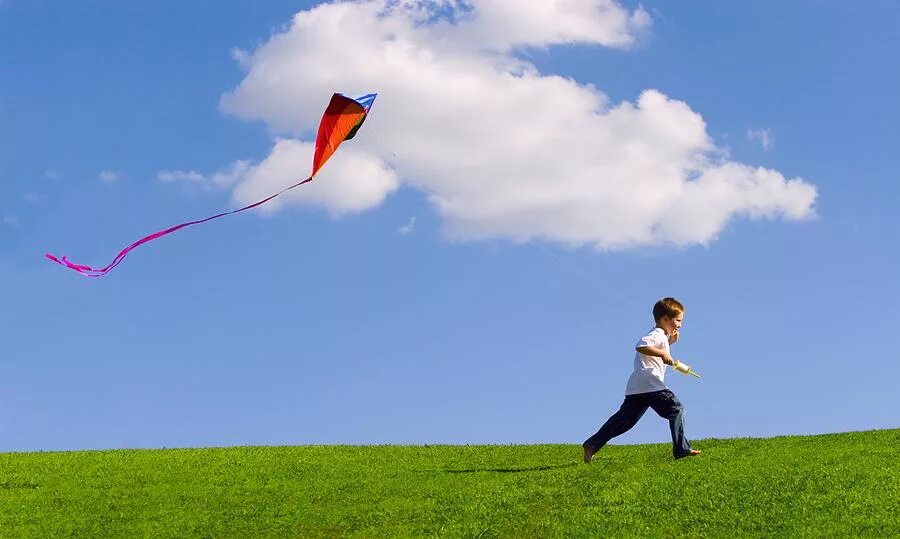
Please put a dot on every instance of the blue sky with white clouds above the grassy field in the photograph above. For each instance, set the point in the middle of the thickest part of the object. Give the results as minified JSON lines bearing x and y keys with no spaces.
{"x":477,"y":264}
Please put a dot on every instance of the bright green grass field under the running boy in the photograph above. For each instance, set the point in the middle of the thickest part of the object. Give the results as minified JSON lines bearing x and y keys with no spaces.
{"x":831,"y":485}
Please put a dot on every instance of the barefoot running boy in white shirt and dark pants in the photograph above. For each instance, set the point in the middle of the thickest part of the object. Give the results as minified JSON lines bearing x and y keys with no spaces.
{"x":645,"y":388}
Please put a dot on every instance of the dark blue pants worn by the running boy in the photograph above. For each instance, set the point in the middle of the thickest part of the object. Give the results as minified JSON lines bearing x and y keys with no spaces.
{"x":664,"y":403}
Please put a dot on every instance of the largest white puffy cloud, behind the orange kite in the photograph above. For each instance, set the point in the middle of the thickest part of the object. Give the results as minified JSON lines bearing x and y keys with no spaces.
{"x":500,"y":149}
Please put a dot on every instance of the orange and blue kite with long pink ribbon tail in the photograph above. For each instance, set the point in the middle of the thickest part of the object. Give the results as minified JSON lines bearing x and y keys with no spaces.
{"x":341,"y":120}
